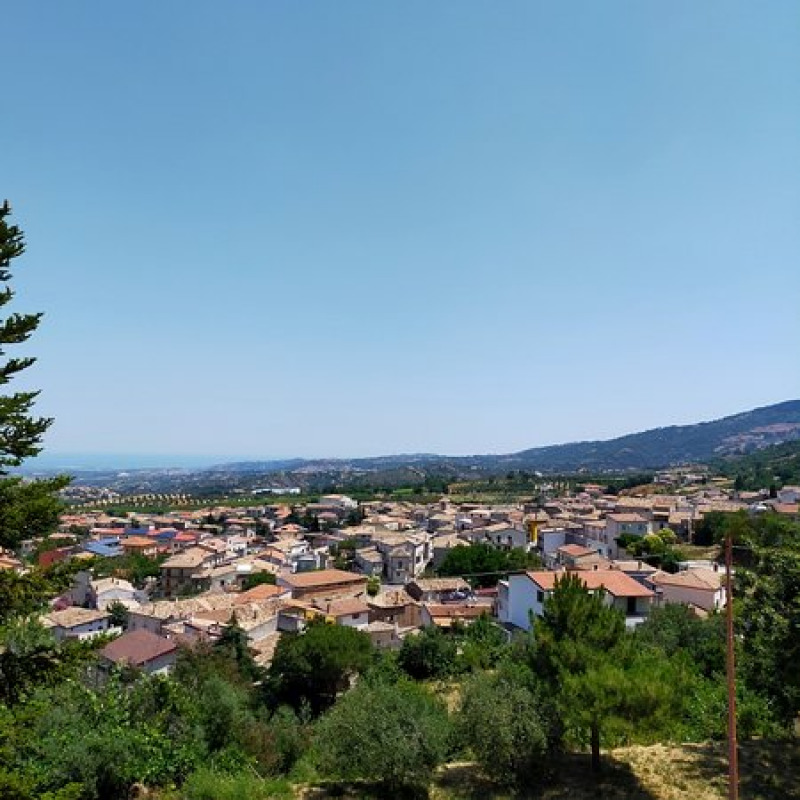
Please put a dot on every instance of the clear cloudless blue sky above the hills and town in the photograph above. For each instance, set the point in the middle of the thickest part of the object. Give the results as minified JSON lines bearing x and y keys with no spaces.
{"x":351,"y":228}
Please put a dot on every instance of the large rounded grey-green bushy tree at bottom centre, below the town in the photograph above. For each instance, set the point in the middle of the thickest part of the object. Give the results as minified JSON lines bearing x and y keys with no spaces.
{"x":394,"y":735}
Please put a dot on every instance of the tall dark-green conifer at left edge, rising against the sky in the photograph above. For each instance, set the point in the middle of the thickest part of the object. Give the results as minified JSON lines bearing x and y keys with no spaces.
{"x":27,"y":508}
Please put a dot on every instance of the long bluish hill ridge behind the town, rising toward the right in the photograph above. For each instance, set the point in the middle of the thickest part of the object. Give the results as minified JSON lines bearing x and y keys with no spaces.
{"x":715,"y":441}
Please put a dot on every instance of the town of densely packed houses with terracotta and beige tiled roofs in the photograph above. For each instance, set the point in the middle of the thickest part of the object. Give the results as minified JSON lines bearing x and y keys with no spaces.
{"x":375,"y":566}
